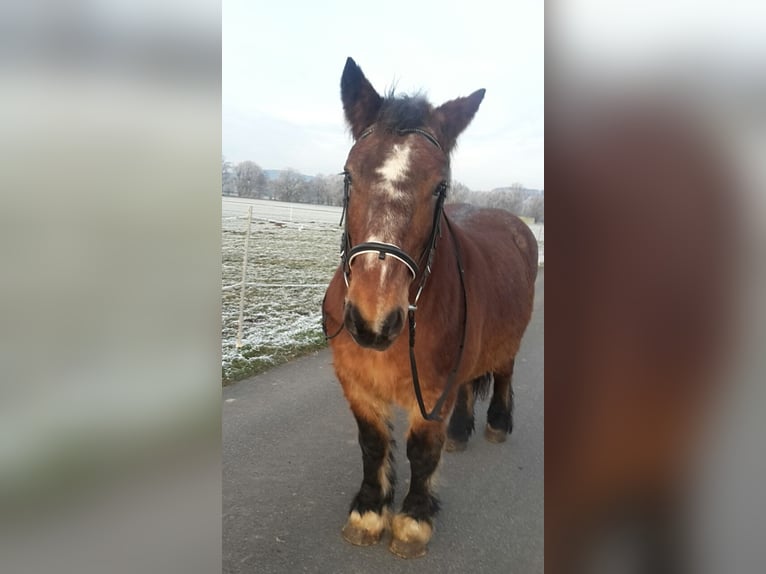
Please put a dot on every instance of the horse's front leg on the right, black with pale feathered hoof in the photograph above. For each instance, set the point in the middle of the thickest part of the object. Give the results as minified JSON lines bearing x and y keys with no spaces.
{"x":413,"y":526}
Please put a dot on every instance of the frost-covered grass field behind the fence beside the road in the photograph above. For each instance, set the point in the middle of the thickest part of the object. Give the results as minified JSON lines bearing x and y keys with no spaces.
{"x":289,"y":266}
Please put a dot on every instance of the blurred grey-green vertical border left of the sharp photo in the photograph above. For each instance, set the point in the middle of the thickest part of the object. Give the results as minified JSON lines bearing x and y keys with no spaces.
{"x":110,"y":145}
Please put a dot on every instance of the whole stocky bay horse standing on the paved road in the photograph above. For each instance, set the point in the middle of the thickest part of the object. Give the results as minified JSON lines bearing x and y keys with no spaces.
{"x":466,"y":274}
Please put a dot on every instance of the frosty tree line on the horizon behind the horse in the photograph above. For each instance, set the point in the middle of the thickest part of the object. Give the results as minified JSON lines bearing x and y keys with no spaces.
{"x":248,"y":179}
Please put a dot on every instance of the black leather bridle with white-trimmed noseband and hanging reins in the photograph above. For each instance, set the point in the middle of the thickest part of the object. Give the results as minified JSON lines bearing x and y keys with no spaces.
{"x":348,"y":253}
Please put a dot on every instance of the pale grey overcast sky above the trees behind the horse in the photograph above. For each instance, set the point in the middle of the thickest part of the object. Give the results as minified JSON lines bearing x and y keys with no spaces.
{"x":282,"y":63}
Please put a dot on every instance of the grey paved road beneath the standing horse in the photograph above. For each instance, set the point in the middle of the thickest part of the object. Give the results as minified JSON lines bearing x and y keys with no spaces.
{"x":291,"y":464}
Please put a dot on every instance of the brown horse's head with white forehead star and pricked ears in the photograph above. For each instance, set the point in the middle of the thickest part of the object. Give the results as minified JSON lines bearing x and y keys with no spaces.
{"x":396,"y":176}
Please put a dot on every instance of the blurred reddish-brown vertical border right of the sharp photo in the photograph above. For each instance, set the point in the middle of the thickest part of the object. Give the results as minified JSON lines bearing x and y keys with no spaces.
{"x":655,"y":171}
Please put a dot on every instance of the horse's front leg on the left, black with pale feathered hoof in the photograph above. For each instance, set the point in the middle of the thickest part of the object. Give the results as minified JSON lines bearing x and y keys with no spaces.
{"x":370,"y":511}
